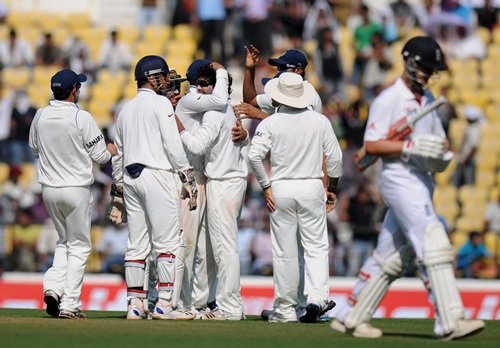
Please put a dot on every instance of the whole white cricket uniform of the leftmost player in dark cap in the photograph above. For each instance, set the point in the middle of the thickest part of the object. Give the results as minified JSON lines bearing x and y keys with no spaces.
{"x":66,"y":140}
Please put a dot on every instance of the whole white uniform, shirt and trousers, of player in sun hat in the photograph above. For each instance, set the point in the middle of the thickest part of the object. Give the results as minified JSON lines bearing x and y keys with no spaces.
{"x":297,"y":140}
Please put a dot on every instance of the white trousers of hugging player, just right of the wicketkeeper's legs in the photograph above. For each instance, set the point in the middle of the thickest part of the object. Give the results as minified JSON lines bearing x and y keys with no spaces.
{"x":199,"y":262}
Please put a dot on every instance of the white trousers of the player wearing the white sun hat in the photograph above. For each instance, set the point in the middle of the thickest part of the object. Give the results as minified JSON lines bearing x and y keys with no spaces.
{"x":299,"y":226}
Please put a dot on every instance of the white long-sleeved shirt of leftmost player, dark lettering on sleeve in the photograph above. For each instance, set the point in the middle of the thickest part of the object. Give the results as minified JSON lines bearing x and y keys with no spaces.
{"x":66,"y":140}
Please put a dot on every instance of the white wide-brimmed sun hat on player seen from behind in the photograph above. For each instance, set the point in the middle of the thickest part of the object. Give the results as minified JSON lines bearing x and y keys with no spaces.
{"x":291,"y":90}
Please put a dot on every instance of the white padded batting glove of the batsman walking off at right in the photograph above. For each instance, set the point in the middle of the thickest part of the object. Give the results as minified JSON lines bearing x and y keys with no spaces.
{"x":429,"y":146}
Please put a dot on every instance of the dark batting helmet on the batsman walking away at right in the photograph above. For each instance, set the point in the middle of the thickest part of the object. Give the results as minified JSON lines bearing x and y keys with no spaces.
{"x":426,"y":52}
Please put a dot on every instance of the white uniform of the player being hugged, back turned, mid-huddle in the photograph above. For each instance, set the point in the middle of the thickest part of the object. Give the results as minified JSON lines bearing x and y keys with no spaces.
{"x":226,"y":172}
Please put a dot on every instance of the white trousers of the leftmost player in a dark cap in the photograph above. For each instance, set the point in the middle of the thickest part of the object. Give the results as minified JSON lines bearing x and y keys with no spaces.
{"x":70,"y":210}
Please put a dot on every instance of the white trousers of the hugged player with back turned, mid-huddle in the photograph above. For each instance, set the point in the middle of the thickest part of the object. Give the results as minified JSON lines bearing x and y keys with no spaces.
{"x":224,"y":203}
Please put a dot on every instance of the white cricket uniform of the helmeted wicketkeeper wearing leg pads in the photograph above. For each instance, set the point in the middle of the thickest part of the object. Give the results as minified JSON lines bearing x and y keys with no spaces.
{"x":146,"y":133}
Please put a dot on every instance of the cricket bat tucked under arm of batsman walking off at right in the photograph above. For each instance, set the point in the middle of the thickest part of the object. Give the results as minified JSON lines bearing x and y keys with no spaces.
{"x":398,"y":131}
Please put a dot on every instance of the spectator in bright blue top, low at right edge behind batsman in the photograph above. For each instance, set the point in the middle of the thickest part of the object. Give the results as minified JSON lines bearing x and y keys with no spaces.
{"x":474,"y":260}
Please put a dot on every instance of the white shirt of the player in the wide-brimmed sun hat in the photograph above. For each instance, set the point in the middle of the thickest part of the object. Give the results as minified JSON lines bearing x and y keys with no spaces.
{"x":297,"y":139}
